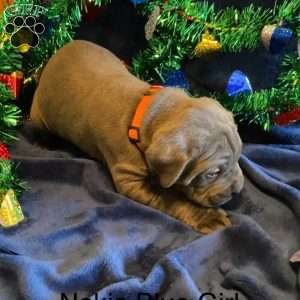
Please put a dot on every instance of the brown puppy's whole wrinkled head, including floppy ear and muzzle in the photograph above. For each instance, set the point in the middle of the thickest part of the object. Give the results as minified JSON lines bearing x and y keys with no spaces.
{"x":196,"y":150}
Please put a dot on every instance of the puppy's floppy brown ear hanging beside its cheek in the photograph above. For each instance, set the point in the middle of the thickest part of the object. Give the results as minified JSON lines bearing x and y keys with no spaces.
{"x":167,"y":159}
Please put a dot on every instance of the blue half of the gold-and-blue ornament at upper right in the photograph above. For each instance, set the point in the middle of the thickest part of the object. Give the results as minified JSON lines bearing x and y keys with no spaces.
{"x":281,"y":37}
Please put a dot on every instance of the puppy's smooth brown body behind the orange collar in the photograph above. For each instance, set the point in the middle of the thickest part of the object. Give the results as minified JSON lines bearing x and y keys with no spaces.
{"x":84,"y":91}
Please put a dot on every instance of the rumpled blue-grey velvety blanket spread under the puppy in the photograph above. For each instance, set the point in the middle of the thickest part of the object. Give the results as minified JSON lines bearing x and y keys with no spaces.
{"x":82,"y":240}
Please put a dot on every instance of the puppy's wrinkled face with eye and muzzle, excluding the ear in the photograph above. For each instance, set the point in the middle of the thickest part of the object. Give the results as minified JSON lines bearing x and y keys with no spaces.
{"x":210,"y":180}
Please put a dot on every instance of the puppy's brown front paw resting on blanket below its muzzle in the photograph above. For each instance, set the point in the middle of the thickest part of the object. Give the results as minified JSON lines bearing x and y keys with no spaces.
{"x":212,"y":219}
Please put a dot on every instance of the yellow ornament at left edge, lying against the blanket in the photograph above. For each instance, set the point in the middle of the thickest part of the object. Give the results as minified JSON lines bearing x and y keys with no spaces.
{"x":10,"y":210}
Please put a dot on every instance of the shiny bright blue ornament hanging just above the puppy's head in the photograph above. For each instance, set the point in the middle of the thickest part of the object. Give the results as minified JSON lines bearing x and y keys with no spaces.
{"x":238,"y":83}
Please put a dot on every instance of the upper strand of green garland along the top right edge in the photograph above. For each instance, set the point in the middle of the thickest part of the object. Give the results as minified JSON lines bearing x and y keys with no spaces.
{"x":184,"y":21}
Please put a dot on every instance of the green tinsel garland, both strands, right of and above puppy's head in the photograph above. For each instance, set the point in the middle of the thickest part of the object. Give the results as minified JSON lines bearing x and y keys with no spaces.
{"x":184,"y":29}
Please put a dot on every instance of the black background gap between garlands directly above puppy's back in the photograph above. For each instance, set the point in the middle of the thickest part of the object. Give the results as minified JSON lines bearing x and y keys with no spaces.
{"x":117,"y":27}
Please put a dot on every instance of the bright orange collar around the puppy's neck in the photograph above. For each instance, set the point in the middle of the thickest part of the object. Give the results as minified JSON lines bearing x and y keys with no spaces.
{"x":146,"y":100}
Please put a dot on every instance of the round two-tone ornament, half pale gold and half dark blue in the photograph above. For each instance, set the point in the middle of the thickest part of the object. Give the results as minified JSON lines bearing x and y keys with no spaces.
{"x":276,"y":38}
